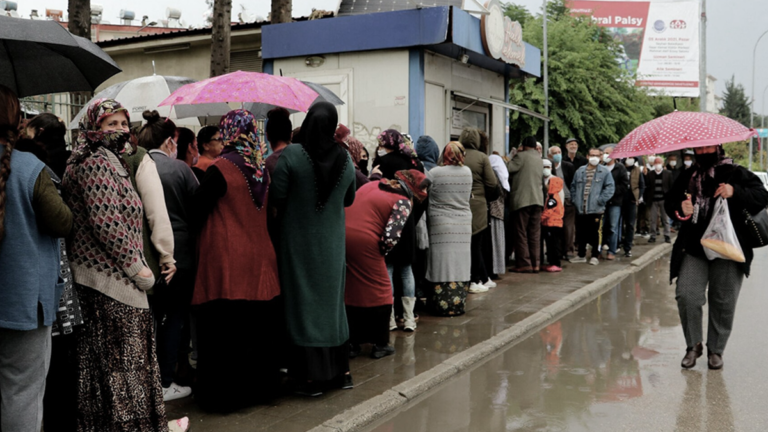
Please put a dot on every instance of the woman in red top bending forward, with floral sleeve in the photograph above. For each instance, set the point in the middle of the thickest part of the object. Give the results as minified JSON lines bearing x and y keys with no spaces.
{"x":374,"y":224}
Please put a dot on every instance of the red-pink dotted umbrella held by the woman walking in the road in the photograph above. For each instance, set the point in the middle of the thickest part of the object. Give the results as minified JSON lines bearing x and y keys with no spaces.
{"x":680,"y":130}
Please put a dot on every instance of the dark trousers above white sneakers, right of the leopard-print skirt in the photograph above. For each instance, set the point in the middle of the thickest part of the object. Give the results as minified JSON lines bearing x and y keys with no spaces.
{"x":170,"y":307}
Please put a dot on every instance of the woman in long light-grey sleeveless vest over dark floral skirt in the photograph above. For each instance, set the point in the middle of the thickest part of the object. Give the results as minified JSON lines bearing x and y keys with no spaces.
{"x":450,"y":232}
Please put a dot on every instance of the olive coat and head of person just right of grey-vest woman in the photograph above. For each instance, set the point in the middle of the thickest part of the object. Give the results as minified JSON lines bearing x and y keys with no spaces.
{"x":482,"y":177}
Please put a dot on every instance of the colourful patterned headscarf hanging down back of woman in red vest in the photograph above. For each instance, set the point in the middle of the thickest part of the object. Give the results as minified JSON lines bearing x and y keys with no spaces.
{"x":243,"y":149}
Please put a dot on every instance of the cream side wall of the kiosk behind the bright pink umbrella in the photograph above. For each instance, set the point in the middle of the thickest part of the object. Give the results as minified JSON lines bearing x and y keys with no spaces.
{"x":373,"y":85}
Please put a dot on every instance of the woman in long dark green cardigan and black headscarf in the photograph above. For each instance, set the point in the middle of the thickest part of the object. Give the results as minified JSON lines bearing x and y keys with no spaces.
{"x":313,"y":182}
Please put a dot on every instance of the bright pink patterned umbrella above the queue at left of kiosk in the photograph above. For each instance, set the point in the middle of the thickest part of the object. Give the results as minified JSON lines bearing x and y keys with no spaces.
{"x":245,"y":87}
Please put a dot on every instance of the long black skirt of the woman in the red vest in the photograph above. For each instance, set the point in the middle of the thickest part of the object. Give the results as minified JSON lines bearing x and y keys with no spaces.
{"x":238,"y":353}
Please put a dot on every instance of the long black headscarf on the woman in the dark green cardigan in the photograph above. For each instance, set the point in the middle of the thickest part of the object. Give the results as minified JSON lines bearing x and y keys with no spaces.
{"x":329,"y":160}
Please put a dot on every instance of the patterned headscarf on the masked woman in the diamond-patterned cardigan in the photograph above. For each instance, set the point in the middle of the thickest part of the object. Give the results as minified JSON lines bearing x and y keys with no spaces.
{"x":91,"y":137}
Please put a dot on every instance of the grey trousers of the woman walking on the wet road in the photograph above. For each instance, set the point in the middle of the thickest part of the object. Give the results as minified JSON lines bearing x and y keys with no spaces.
{"x":724,"y":278}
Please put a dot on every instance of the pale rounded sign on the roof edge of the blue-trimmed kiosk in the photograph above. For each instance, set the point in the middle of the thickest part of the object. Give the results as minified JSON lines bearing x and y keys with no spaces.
{"x":502,"y":37}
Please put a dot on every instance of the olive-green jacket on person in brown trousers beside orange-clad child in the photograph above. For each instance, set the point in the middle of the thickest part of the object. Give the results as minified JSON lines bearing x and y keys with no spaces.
{"x":527,"y":172}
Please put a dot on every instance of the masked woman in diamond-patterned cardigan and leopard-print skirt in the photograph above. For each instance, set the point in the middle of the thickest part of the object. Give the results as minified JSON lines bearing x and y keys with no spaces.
{"x":111,"y":278}
